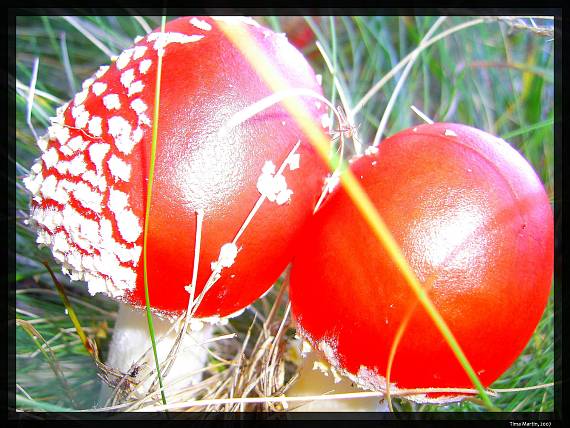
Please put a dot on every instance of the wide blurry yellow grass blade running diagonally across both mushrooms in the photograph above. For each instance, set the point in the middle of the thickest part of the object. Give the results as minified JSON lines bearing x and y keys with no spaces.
{"x":247,"y":45}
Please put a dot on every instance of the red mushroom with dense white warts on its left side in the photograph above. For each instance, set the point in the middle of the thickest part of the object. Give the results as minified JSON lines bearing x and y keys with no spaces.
{"x":232,"y":202}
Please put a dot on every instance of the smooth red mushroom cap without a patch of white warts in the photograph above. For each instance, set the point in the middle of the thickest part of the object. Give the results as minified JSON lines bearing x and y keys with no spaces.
{"x":475,"y":225}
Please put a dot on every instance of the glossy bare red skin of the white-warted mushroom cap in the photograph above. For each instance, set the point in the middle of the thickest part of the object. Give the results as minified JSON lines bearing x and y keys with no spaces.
{"x":204,"y":83}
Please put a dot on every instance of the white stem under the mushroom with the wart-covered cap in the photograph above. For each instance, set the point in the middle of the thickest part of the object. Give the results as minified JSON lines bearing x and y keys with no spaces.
{"x":130,"y":351}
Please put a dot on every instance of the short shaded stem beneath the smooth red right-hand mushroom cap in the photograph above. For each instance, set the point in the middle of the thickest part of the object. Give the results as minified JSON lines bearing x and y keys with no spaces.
{"x":315,"y":379}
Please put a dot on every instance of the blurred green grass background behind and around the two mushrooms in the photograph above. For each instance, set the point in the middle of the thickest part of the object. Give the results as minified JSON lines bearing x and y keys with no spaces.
{"x":497,"y":76}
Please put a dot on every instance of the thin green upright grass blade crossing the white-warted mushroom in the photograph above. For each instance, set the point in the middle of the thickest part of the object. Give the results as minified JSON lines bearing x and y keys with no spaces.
{"x":147,"y":213}
